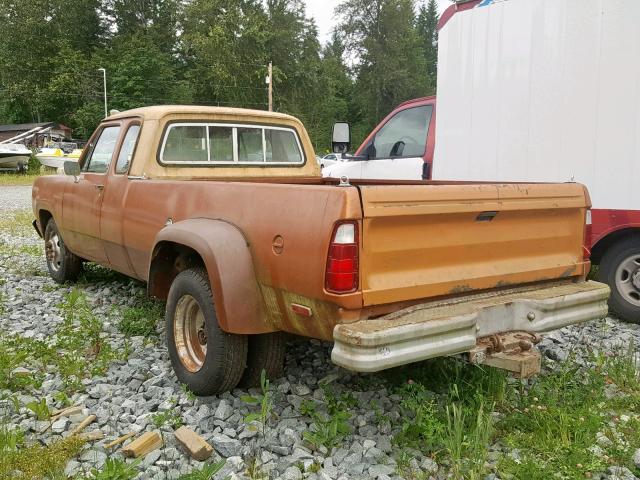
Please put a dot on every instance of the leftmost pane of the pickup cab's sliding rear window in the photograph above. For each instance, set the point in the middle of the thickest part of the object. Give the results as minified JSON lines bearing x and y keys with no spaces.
{"x":186,"y":143}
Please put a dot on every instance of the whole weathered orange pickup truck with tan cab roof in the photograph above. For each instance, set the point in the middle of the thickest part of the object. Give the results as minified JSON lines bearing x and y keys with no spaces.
{"x":224,"y":213}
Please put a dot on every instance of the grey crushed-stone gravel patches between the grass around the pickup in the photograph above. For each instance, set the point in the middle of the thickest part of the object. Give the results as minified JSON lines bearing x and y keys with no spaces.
{"x":132,"y":391}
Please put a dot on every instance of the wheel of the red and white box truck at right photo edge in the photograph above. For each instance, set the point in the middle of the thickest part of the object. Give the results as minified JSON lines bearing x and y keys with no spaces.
{"x":620,"y":269}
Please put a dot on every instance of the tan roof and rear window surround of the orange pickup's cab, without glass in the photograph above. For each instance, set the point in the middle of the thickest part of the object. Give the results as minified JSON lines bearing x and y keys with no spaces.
{"x":155,"y":118}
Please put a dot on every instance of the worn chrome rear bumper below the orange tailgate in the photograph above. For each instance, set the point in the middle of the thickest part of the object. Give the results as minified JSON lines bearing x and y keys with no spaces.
{"x":444,"y":328}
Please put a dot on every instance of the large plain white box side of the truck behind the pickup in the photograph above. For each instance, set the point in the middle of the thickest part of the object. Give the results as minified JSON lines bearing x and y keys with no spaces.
{"x":543,"y":90}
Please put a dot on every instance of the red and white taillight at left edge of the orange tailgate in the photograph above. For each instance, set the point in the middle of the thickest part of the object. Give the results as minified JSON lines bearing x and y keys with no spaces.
{"x":342,"y":260}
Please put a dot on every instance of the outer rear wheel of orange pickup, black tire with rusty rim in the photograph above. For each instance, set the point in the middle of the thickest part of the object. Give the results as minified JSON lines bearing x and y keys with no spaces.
{"x":204,"y":357}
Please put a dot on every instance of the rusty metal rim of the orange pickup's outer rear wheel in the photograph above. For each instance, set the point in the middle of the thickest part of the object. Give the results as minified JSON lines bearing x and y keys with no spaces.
{"x":189,"y":333}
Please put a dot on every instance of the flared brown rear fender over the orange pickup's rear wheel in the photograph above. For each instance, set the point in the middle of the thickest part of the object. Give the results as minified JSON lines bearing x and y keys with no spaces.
{"x":224,"y":252}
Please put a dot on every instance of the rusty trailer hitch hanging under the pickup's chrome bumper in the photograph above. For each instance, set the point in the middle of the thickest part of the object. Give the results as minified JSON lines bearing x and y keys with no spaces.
{"x":513,"y":351}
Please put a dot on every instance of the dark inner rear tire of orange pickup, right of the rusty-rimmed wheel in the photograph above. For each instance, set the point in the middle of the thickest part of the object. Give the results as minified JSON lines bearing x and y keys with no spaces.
{"x":266,"y":352}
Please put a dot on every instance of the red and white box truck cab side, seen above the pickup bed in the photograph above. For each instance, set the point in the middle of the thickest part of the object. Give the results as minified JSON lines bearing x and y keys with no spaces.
{"x":401,"y":147}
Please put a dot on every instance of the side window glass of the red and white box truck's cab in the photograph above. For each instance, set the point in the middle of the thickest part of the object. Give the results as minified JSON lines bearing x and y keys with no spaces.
{"x":404,"y":135}
